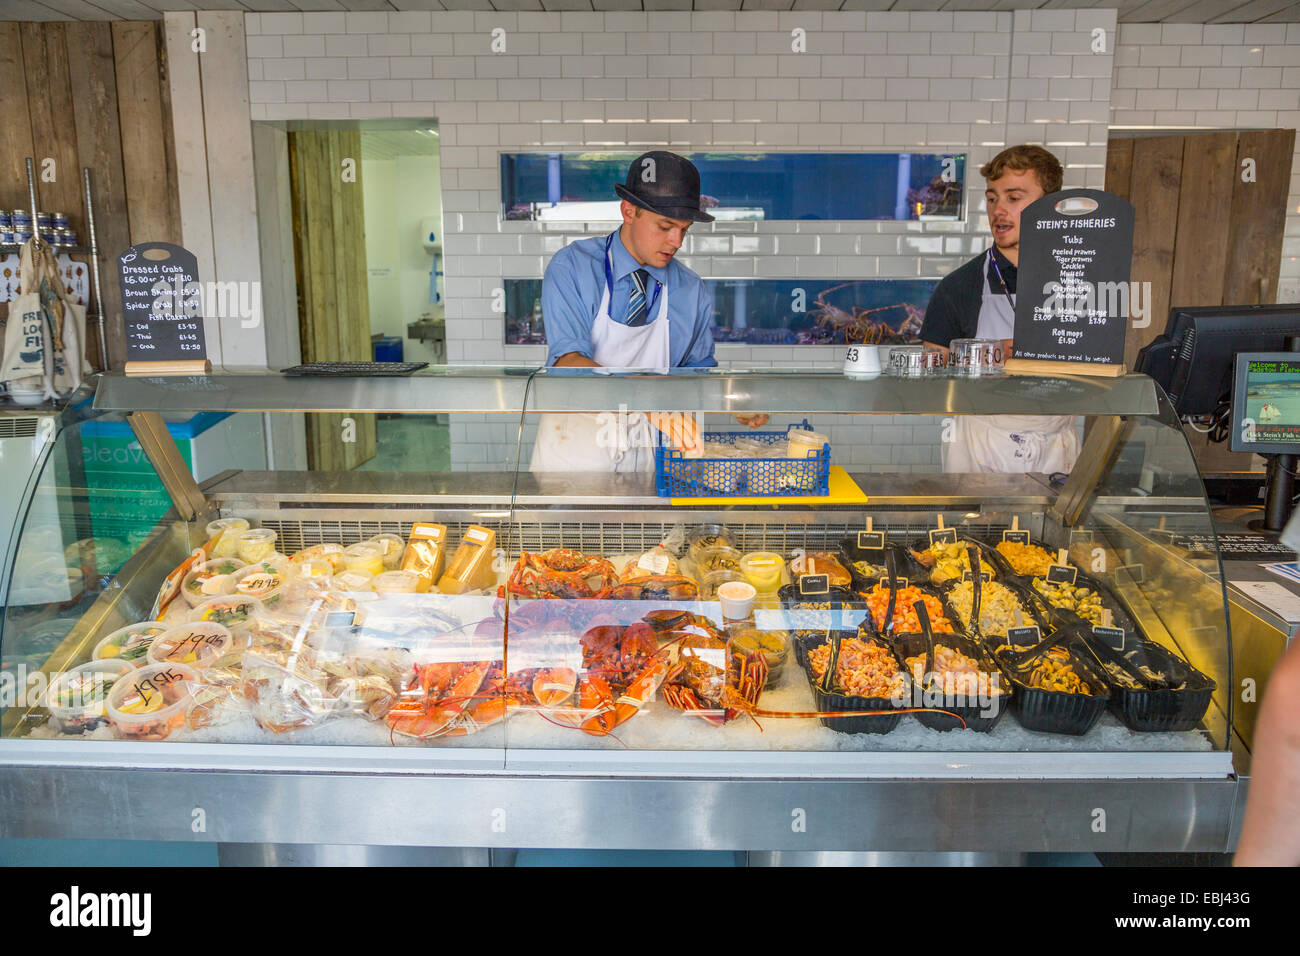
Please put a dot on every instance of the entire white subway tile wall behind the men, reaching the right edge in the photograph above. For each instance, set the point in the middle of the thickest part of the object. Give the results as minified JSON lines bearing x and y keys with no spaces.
{"x":885,"y":81}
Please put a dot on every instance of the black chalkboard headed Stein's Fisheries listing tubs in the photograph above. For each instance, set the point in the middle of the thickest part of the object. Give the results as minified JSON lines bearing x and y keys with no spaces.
{"x":1073,"y":295}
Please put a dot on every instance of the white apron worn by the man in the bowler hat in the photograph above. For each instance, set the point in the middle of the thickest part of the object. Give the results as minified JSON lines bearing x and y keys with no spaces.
{"x":609,"y":442}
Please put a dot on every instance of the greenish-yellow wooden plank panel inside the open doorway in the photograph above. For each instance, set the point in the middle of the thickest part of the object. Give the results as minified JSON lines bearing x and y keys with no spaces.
{"x":333,"y":304}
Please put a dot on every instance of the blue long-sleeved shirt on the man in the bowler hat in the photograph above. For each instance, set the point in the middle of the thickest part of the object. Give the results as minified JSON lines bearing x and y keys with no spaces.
{"x":571,"y":296}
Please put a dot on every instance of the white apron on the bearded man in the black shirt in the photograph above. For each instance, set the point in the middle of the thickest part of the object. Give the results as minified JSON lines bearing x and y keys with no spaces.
{"x":1008,"y":444}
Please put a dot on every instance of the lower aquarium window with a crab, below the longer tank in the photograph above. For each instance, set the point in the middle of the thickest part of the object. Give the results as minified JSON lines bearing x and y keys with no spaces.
{"x":774,"y":312}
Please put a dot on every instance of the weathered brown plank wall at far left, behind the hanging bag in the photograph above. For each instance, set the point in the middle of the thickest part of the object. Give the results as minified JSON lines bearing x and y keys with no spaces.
{"x":92,"y":94}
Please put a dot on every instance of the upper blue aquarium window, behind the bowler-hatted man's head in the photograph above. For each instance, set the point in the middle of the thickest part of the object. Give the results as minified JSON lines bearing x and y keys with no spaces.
{"x":579,"y":187}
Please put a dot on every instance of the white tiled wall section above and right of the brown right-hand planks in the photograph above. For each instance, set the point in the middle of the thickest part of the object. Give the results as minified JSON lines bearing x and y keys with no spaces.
{"x":1210,"y":76}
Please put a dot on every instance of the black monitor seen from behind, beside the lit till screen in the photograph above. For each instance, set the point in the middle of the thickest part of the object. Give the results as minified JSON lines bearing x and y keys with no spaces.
{"x":1194,"y":360}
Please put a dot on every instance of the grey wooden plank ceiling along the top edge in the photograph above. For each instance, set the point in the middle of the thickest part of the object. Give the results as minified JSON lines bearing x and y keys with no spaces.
{"x":1130,"y":11}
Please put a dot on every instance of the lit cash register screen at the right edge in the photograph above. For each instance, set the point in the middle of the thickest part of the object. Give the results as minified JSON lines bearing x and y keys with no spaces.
{"x":1267,"y":404}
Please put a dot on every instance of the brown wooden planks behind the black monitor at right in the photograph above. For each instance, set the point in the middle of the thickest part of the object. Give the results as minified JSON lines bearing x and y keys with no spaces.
{"x":1203,"y":237}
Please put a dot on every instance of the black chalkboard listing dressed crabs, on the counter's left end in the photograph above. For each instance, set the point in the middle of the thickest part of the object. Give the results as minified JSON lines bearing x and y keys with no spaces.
{"x":162,"y":304}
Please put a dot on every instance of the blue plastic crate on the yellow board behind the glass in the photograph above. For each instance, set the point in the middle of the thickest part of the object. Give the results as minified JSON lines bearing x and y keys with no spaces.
{"x":723,"y":478}
